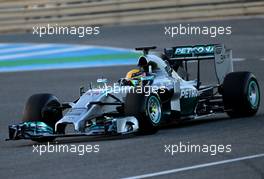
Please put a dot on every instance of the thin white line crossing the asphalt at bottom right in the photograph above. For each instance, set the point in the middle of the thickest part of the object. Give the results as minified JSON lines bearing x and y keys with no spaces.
{"x":196,"y":166}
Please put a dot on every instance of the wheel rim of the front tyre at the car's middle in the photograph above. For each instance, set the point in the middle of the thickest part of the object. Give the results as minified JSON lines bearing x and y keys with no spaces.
{"x":154,"y":109}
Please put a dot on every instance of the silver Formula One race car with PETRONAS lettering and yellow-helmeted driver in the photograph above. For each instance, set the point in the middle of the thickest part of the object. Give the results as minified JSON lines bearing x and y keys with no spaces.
{"x":145,"y":99}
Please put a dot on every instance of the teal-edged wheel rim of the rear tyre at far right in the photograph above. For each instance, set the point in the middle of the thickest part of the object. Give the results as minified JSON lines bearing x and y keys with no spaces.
{"x":253,"y":94}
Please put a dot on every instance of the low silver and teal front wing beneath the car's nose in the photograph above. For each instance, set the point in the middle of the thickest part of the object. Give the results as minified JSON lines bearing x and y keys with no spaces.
{"x":40,"y":131}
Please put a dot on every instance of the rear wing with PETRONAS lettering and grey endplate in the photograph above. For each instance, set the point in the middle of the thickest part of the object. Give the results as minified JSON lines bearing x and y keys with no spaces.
{"x":222,"y":57}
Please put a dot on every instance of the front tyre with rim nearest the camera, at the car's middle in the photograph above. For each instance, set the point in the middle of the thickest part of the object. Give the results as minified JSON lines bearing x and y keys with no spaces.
{"x":147,"y":109}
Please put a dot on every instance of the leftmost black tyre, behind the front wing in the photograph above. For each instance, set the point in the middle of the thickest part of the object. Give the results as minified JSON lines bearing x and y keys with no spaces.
{"x":42,"y":108}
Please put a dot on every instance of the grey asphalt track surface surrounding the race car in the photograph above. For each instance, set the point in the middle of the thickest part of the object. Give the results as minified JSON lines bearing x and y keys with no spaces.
{"x":137,"y":155}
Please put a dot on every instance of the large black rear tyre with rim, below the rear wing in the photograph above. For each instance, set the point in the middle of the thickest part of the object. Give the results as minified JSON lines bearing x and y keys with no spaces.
{"x":241,"y":94}
